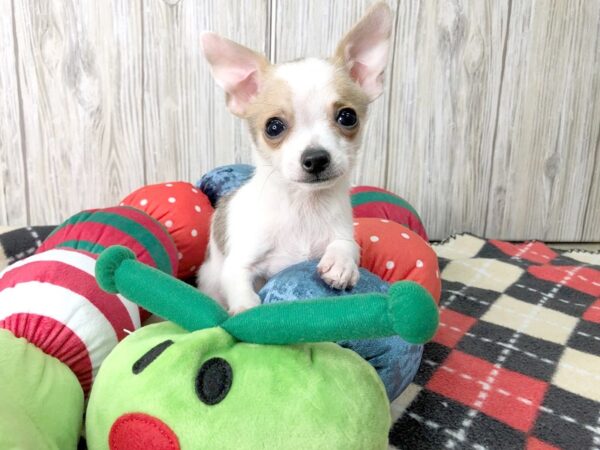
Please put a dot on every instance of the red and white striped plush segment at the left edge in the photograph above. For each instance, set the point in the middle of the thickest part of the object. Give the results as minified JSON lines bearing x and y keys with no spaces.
{"x":52,"y":299}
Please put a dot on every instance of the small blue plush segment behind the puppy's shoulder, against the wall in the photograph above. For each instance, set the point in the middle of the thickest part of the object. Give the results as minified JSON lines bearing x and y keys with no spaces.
{"x":223,"y":180}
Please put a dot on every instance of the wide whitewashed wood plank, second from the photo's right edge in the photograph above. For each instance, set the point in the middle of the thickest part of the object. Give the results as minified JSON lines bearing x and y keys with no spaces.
{"x":446,"y":79}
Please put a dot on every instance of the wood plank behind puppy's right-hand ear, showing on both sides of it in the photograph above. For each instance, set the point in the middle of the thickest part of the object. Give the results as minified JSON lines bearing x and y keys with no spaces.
{"x":303,"y":28}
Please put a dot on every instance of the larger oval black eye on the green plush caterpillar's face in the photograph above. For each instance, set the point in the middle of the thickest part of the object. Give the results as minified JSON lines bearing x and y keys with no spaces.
{"x":213,"y":381}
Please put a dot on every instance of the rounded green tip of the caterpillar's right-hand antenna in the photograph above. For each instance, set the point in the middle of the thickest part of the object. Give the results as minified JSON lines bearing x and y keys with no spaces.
{"x":413,"y":312}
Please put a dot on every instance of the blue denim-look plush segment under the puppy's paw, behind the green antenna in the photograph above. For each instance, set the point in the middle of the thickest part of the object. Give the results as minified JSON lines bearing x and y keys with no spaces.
{"x":395,"y":360}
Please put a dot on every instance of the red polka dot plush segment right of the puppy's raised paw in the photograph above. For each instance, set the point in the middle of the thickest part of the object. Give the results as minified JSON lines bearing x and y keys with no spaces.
{"x":394,"y":253}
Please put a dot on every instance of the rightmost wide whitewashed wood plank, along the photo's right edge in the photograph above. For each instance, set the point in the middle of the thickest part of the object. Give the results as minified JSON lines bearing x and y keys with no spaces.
{"x":549,"y":122}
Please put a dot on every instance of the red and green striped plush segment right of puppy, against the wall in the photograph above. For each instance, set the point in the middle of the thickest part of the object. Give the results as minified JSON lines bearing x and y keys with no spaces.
{"x":370,"y":201}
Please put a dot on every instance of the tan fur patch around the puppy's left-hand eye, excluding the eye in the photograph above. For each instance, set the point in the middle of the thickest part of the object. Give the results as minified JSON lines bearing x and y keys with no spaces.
{"x":274,"y":99}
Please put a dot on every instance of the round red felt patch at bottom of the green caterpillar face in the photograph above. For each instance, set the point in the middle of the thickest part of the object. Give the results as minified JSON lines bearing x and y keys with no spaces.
{"x":138,"y":431}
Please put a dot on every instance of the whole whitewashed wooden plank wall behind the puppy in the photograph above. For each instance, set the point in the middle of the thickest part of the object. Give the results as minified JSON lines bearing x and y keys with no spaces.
{"x":490,"y":122}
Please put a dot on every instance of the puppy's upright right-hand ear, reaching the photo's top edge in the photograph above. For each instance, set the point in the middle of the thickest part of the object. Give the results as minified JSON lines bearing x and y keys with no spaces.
{"x":364,"y":50}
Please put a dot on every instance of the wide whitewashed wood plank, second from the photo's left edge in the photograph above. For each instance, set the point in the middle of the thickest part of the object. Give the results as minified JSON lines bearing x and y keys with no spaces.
{"x":80,"y":75}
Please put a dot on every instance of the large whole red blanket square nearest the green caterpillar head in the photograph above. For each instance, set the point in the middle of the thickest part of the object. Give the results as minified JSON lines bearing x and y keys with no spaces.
{"x":500,"y":393}
